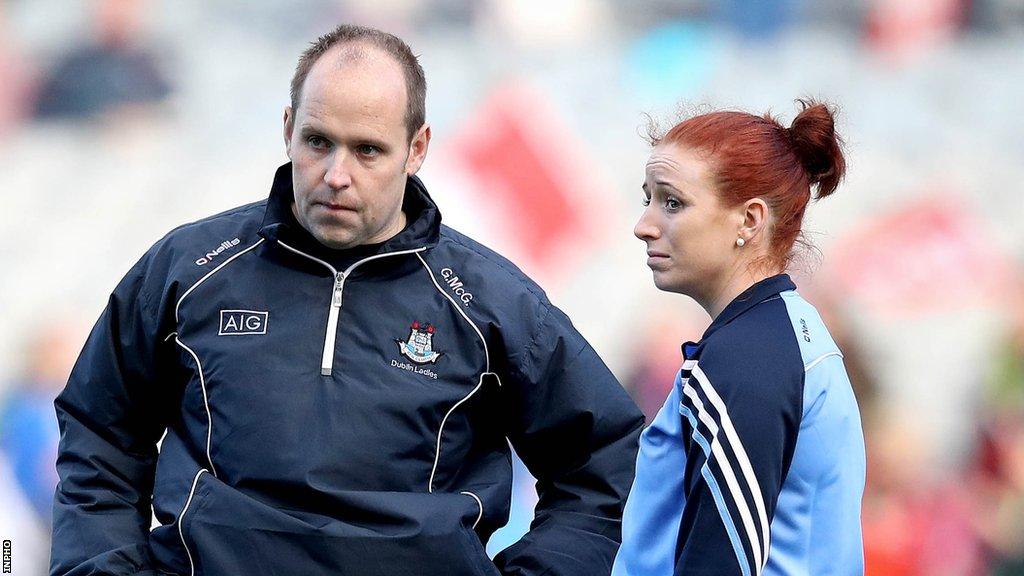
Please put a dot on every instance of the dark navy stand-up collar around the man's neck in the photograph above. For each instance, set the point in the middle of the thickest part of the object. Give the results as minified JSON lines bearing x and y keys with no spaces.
{"x":422,"y":228}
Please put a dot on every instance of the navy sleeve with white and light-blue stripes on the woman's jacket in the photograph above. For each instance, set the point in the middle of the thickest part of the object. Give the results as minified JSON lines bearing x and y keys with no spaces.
{"x":740,"y":427}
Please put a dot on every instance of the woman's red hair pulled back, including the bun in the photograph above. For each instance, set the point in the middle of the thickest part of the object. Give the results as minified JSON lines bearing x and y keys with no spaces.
{"x":757,"y":157}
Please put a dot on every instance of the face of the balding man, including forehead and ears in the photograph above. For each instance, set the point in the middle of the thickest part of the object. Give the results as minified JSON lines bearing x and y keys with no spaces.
{"x":351,"y":150}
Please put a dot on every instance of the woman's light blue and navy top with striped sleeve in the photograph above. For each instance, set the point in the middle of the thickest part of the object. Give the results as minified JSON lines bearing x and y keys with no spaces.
{"x":755,"y":466}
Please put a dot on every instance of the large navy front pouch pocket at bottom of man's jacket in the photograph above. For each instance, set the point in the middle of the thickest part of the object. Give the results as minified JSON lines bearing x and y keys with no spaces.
{"x":359,"y":533}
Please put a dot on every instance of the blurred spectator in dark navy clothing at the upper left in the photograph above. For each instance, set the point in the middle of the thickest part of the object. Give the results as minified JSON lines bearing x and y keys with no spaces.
{"x":109,"y":76}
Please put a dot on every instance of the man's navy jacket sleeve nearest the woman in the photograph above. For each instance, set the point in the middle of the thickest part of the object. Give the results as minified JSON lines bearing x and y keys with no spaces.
{"x":576,"y":429}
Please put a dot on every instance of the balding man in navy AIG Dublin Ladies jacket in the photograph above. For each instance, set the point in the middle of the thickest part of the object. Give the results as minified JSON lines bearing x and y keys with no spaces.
{"x":337,"y":375}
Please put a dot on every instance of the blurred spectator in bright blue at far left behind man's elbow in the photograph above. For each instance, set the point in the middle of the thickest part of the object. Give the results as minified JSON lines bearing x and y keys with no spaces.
{"x":28,"y":433}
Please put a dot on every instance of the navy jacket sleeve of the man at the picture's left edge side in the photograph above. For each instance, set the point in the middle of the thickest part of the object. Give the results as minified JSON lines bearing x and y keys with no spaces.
{"x":111,"y":415}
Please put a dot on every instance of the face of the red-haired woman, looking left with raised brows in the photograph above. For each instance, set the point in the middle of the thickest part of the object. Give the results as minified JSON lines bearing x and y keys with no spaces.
{"x":691,"y":237}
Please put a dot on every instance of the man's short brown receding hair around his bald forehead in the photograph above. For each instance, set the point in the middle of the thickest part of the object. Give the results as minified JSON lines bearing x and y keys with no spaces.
{"x":416,"y":83}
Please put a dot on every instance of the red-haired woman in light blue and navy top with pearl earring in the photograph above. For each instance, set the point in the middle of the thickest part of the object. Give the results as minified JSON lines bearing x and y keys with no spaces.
{"x":756,"y":463}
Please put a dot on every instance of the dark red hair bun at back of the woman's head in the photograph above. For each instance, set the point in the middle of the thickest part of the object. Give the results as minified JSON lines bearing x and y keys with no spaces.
{"x":819,"y":147}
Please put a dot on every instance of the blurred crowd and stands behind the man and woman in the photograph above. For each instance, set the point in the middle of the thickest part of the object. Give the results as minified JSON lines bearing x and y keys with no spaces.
{"x":121,"y":119}
